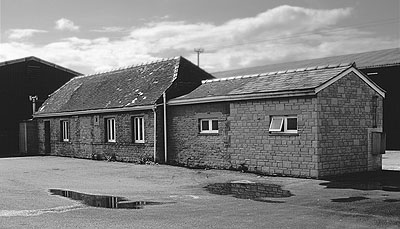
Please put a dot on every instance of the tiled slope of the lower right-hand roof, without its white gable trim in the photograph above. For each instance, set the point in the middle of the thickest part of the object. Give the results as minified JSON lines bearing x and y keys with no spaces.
{"x":266,"y":83}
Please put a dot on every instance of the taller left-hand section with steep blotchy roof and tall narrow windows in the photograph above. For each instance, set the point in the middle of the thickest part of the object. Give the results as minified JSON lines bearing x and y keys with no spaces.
{"x":118,"y":114}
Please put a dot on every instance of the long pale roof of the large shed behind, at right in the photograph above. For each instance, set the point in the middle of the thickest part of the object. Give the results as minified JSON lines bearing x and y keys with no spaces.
{"x":386,"y":57}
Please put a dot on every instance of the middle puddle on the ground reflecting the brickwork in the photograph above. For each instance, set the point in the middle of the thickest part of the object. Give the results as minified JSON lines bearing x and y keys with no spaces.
{"x":249,"y":190}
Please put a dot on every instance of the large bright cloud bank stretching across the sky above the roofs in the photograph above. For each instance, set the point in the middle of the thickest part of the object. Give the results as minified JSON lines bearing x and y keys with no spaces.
{"x":284,"y":33}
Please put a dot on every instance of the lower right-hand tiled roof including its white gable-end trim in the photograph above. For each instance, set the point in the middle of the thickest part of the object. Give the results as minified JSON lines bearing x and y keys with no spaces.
{"x":304,"y":81}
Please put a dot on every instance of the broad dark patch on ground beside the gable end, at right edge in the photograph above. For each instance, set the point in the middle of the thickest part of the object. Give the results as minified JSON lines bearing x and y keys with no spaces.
{"x":382,"y":180}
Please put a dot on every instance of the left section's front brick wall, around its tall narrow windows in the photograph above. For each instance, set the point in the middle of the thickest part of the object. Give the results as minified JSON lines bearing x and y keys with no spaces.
{"x":88,"y":138}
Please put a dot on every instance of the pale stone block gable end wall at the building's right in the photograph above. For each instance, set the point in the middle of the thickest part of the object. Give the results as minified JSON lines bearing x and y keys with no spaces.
{"x":345,"y":118}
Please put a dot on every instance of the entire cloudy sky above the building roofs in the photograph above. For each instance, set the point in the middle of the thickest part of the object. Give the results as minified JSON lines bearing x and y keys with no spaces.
{"x":91,"y":36}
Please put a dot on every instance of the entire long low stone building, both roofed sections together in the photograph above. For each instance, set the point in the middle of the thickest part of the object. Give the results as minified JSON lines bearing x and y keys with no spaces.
{"x":308,"y":122}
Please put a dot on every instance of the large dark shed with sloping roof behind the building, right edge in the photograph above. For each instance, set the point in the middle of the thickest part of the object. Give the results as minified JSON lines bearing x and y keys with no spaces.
{"x":381,"y":66}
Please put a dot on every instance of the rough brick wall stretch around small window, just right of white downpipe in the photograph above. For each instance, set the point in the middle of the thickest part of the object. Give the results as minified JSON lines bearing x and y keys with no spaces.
{"x":187,"y":146}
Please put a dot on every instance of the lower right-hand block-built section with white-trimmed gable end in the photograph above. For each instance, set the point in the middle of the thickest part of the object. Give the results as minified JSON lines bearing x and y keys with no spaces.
{"x":308,"y":122}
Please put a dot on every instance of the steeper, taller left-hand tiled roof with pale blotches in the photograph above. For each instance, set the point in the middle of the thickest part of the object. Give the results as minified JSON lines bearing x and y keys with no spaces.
{"x":135,"y":86}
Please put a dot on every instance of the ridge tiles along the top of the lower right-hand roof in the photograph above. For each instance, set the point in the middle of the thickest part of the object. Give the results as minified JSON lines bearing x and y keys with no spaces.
{"x":327,"y":66}
